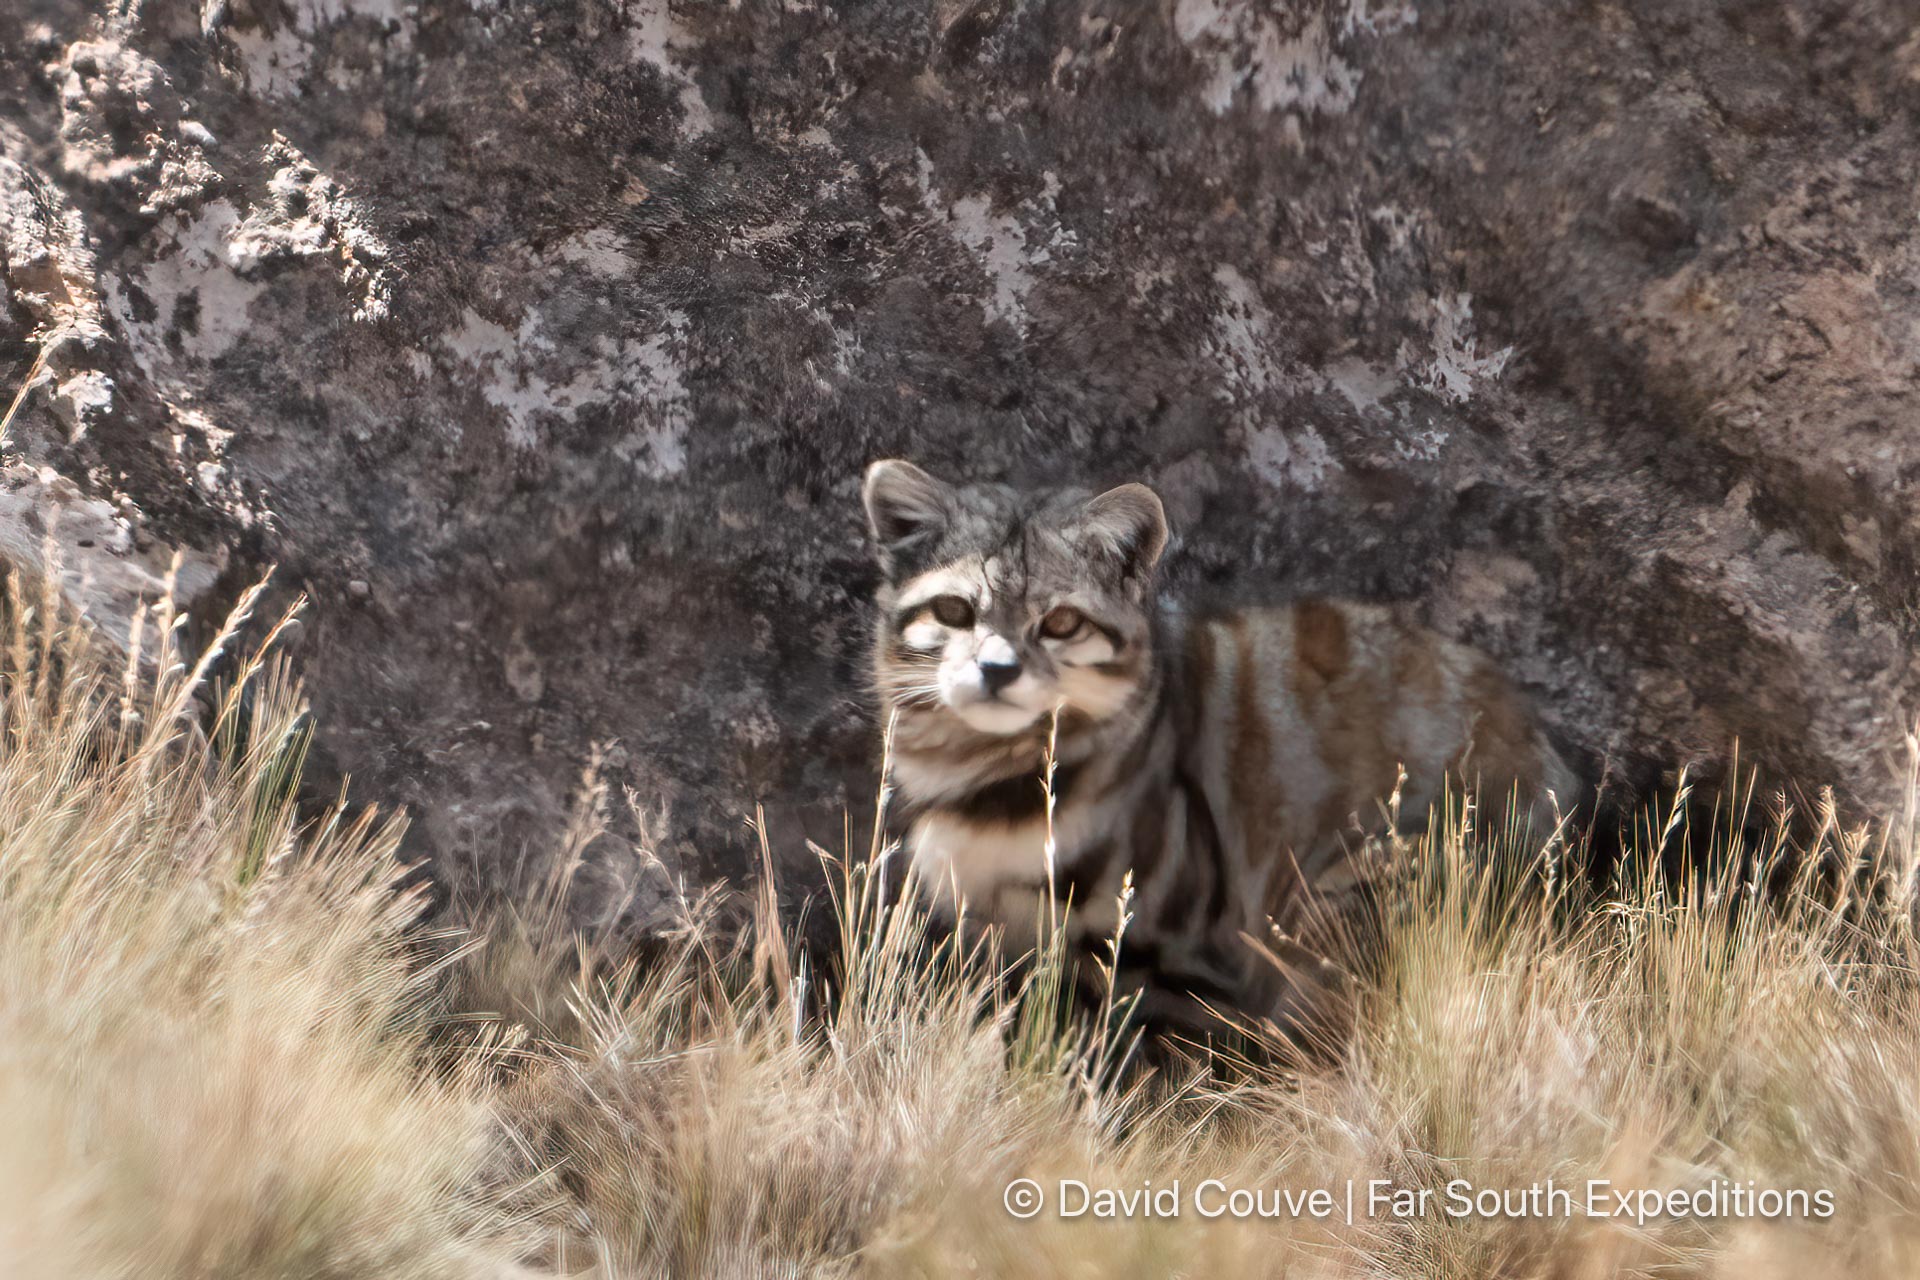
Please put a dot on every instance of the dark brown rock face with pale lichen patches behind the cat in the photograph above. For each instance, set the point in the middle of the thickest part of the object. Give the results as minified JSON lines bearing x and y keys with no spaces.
{"x":542,"y":346}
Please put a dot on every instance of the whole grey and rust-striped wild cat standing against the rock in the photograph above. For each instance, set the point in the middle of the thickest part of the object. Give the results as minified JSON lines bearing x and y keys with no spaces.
{"x":1230,"y":763}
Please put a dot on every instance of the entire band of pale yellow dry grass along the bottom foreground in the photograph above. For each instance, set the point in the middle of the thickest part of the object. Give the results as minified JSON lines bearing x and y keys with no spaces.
{"x":228,"y":1051}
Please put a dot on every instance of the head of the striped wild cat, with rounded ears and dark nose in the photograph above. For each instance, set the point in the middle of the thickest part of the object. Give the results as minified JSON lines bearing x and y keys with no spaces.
{"x":999,"y":607}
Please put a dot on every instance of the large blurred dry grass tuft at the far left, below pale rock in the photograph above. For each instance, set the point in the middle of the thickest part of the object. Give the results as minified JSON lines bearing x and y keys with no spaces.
{"x":210,"y":1039}
